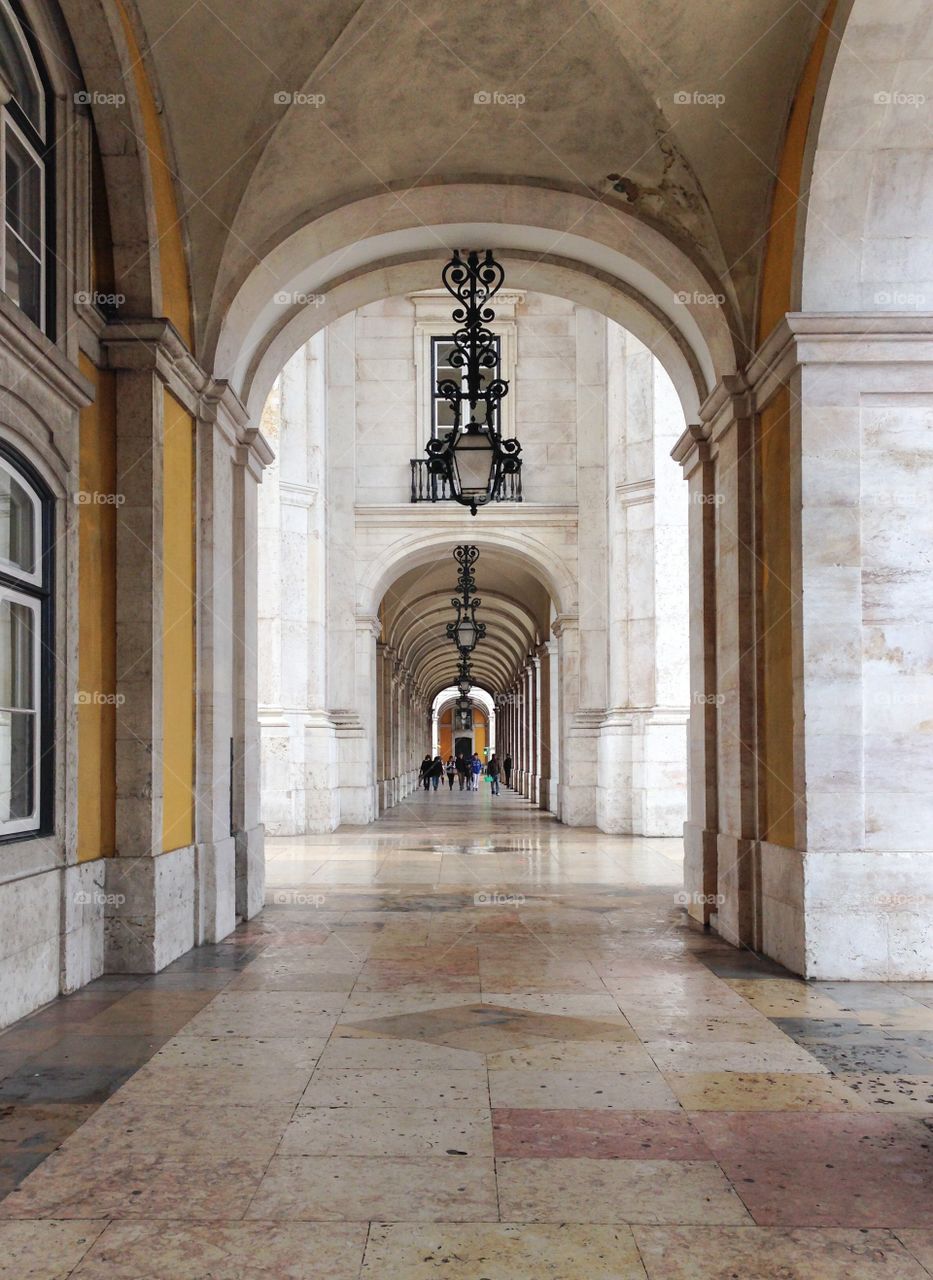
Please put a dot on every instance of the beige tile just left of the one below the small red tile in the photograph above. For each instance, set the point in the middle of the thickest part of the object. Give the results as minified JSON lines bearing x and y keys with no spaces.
{"x":360,"y":1190}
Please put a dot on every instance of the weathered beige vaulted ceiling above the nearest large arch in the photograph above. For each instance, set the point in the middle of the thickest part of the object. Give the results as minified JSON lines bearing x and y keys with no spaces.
{"x":602,"y":86}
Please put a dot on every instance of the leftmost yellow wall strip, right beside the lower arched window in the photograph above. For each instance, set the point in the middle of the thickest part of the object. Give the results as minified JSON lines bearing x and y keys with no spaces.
{"x":98,"y":623}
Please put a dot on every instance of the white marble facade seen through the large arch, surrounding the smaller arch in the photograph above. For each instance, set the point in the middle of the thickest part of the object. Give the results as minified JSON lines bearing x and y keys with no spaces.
{"x":337,"y":518}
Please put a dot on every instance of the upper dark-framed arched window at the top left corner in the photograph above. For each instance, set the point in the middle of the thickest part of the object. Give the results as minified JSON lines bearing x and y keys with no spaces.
{"x":25,"y":171}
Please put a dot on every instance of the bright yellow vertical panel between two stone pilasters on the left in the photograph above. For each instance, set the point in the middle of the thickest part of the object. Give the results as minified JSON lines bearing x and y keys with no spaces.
{"x":179,"y":627}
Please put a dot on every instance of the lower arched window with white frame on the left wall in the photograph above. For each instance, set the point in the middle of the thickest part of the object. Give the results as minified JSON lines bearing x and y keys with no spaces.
{"x":26,"y":648}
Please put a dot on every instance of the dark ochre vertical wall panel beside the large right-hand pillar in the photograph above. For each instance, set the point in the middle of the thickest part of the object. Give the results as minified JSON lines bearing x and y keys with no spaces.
{"x":775,"y":624}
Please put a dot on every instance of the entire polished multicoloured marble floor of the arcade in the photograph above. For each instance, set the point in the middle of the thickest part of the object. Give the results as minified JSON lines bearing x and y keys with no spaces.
{"x":468,"y":1043}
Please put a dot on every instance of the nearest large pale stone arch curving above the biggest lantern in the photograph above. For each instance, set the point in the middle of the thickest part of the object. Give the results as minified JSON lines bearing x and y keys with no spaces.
{"x":582,"y":249}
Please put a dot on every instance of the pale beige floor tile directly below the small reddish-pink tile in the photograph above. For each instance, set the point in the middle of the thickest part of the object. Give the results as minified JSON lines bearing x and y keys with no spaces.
{"x":618,"y":1191}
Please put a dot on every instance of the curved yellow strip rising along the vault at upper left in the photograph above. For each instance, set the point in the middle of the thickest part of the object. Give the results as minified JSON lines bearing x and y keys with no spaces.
{"x":175,"y":268}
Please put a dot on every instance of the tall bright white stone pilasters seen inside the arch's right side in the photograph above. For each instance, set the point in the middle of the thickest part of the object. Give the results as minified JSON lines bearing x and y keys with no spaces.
{"x":643,"y":742}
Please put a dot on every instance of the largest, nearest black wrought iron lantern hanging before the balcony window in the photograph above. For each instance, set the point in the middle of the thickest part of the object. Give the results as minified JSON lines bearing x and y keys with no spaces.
{"x":473,"y":461}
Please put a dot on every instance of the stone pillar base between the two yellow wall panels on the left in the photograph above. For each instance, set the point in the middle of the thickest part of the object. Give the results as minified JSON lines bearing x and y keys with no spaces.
{"x":150,"y":911}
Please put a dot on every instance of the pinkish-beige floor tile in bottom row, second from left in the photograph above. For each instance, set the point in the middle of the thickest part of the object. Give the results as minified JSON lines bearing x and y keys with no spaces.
{"x":226,"y":1251}
